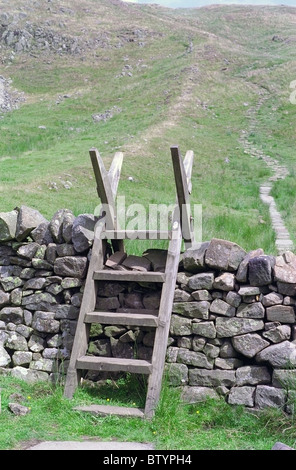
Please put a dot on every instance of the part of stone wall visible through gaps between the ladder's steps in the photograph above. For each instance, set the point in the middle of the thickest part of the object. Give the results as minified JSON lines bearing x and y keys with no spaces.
{"x":118,"y":340}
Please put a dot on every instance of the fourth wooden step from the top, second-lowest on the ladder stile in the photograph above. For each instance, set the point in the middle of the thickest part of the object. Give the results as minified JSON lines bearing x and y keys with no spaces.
{"x":114,"y":364}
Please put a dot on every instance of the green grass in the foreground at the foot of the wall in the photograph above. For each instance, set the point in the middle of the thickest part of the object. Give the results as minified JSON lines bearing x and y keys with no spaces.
{"x":211,"y":425}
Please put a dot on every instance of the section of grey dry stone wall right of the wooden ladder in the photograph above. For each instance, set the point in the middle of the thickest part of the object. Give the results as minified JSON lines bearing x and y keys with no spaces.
{"x":233,"y":325}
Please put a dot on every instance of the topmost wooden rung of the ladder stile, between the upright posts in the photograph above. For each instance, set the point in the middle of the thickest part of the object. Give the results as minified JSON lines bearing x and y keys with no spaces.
{"x":136,"y":235}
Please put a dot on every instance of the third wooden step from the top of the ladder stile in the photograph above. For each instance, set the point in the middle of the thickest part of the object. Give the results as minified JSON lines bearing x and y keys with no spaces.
{"x":111,"y":318}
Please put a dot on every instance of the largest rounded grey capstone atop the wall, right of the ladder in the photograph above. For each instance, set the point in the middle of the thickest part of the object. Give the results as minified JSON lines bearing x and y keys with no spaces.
{"x":224,"y":255}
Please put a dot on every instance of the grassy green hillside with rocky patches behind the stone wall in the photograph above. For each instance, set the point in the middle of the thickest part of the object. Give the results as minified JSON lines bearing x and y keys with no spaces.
{"x":167,"y":77}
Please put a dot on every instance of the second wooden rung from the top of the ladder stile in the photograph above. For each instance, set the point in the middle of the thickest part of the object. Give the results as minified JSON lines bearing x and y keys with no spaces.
{"x":137,"y":276}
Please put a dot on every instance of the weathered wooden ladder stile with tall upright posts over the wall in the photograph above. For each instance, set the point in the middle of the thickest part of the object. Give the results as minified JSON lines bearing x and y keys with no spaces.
{"x":107,"y":229}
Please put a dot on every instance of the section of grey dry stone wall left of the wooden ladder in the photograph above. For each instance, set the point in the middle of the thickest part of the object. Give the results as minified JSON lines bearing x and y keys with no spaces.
{"x":42,"y":269}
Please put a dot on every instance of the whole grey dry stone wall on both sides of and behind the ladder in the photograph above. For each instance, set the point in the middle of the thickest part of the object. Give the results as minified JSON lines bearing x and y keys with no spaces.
{"x":232,"y":332}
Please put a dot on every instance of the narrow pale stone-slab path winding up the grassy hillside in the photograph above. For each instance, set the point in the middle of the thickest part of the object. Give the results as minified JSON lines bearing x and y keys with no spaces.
{"x":283,"y":240}
